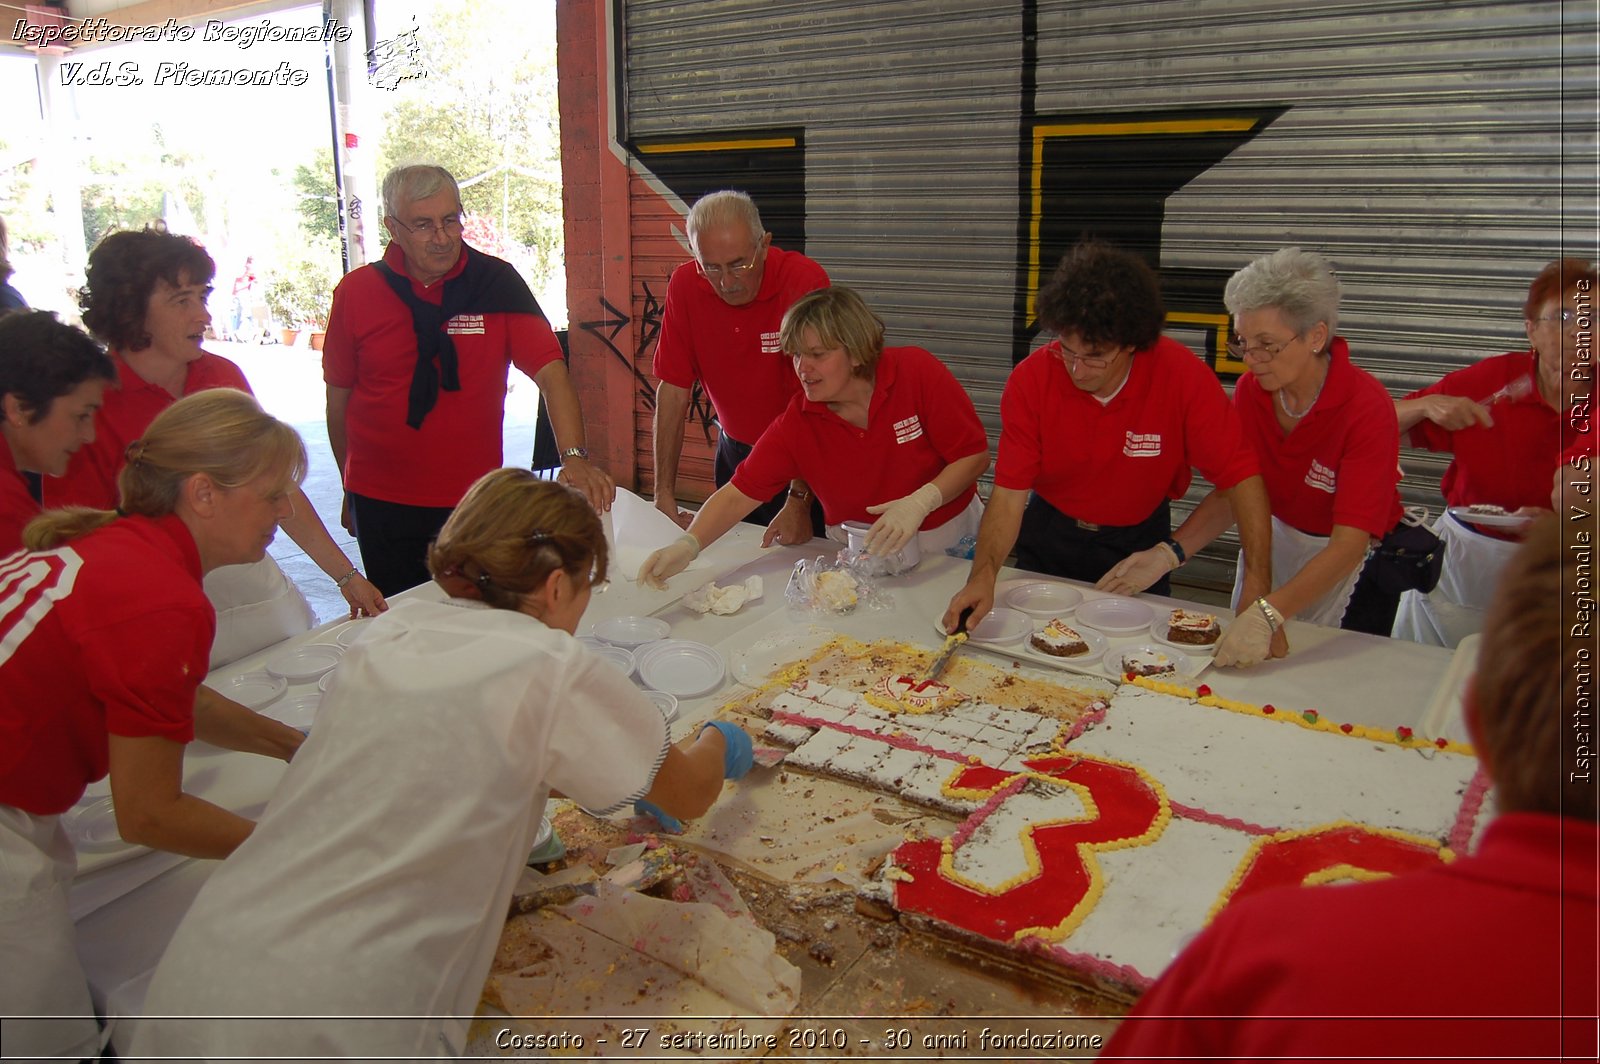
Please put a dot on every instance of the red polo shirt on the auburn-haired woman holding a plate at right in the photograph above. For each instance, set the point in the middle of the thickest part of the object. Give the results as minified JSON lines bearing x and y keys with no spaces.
{"x":1510,"y":465}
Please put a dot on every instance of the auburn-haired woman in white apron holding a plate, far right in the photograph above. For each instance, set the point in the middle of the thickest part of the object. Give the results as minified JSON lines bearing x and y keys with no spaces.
{"x":1503,"y":423}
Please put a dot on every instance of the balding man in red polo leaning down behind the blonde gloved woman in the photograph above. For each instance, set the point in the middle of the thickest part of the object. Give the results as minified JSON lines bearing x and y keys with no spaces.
{"x":721,"y":327}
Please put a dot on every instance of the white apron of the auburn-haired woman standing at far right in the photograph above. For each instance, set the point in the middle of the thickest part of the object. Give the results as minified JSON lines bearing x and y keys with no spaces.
{"x":1455,"y":609}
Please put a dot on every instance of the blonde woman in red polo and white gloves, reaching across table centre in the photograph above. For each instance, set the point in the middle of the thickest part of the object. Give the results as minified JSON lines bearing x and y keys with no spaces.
{"x":884,"y":436}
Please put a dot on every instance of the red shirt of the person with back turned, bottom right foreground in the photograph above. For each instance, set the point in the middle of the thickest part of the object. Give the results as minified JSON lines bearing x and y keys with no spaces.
{"x":1478,"y":959}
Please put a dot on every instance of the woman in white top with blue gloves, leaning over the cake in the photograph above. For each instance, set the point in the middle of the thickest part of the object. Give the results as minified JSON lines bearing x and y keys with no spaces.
{"x":382,"y":873}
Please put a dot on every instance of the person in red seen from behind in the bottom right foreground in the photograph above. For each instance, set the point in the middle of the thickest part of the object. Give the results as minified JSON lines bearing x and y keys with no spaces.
{"x":1487,"y":958}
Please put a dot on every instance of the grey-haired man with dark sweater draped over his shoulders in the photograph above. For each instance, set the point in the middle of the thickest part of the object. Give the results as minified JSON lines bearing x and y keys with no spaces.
{"x":418,"y":356}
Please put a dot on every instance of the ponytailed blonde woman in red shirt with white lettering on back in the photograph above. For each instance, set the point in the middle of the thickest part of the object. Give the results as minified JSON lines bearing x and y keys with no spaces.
{"x":106,"y":634}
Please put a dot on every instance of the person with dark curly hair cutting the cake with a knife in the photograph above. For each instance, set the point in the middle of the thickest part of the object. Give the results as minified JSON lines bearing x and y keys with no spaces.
{"x":1098,"y":434}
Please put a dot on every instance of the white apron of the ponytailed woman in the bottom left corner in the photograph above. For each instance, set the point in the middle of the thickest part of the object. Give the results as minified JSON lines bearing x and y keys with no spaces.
{"x":39,"y":961}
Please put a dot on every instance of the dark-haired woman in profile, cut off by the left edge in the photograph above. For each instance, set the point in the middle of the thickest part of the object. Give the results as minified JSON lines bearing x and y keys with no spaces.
{"x":52,"y":380}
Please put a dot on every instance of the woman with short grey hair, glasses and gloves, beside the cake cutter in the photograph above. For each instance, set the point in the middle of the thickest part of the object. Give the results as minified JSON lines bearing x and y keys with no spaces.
{"x":1319,"y":426}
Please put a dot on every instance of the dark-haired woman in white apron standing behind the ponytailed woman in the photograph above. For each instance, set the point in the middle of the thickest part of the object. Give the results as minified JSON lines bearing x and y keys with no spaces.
{"x":146,"y":298}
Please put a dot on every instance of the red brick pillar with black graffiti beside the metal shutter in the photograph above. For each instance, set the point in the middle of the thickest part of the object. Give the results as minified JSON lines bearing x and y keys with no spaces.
{"x":599,"y":265}
